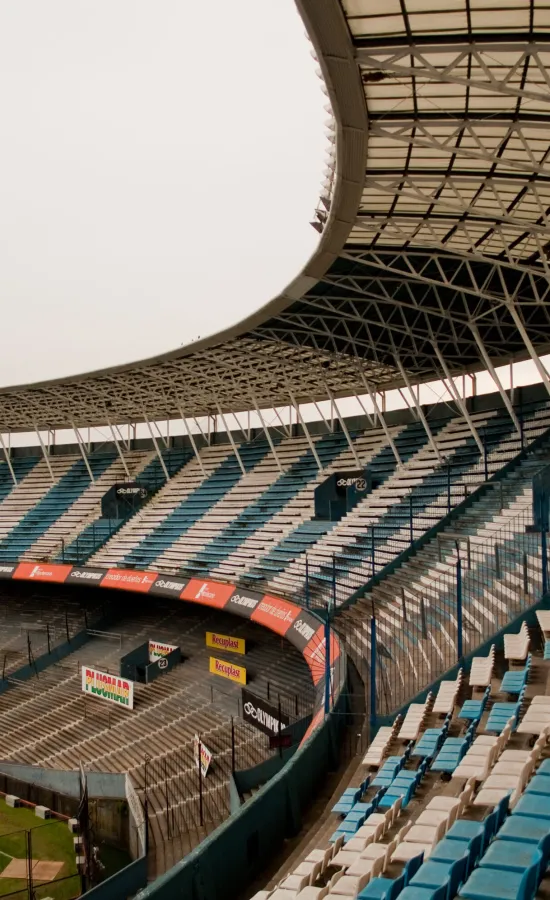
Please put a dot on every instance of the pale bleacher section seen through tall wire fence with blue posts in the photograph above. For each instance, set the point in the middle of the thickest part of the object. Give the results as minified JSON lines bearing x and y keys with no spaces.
{"x":459,"y":592}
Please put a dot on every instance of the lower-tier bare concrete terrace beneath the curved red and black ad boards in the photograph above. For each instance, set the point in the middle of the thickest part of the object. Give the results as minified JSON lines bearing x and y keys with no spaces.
{"x":48,"y":721}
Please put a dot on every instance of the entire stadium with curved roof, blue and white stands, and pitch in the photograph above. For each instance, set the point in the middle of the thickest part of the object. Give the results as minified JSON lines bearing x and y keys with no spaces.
{"x":285,"y":633}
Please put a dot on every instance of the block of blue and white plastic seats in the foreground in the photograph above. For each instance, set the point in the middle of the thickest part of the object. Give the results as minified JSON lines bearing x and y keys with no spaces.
{"x":459,"y":811}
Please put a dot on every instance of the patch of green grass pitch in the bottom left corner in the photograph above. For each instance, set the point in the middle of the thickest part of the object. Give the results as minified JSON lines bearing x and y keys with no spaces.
{"x":51,"y":840}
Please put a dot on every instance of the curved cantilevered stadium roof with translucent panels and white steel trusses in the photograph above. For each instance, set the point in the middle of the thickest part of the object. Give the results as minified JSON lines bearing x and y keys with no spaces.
{"x":433,"y":255}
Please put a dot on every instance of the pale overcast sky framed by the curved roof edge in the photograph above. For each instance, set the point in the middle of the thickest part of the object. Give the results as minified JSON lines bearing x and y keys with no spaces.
{"x":160,"y":162}
